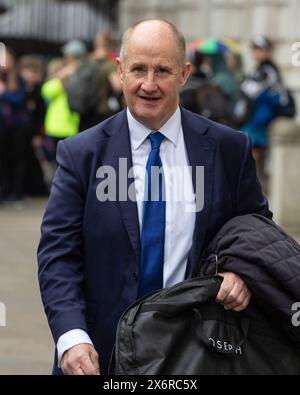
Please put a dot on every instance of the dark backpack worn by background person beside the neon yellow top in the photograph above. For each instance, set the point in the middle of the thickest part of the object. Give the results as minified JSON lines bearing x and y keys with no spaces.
{"x":82,"y":88}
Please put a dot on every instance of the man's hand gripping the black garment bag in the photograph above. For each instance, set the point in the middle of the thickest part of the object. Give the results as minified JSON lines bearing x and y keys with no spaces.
{"x":233,"y":294}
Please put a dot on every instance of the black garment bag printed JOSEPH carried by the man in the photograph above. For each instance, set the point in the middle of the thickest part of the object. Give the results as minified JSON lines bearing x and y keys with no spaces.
{"x":181,"y":330}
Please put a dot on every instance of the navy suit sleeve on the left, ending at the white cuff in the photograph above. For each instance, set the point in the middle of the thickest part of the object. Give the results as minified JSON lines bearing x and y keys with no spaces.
{"x":60,"y":251}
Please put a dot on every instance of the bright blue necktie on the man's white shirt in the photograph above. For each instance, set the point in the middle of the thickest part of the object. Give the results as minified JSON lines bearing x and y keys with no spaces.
{"x":153,"y":226}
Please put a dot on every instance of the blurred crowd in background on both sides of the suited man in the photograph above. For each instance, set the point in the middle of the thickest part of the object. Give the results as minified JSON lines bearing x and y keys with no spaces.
{"x":45,"y":100}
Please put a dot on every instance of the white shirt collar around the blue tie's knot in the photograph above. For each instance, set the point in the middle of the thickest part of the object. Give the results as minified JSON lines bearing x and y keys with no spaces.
{"x":138,"y":132}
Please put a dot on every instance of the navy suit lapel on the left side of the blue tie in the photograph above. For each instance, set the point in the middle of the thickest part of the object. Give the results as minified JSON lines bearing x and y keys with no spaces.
{"x":118,"y":147}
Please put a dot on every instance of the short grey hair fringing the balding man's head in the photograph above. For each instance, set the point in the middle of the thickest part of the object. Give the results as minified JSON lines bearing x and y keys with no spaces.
{"x":179,"y":37}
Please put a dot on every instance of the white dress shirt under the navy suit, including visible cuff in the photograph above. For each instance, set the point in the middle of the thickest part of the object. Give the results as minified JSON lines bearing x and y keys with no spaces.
{"x":180,"y":203}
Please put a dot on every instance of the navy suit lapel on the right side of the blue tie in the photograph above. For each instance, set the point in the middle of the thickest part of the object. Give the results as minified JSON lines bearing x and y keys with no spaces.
{"x":201,"y":152}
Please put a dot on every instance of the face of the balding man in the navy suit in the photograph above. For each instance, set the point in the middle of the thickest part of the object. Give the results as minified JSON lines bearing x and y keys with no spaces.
{"x":152,"y":75}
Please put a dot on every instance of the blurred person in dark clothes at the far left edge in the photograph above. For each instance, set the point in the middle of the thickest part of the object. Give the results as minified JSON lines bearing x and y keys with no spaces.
{"x":14,"y":121}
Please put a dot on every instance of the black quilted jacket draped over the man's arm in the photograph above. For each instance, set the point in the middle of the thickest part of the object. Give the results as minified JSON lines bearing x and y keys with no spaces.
{"x":266,"y":258}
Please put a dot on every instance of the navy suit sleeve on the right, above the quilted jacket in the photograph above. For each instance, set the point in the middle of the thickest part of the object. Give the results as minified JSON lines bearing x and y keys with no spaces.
{"x":249,"y":197}
